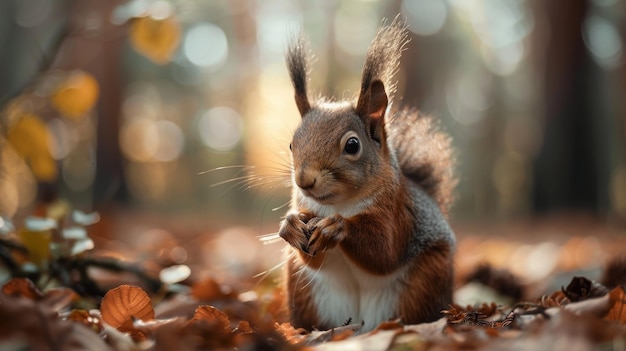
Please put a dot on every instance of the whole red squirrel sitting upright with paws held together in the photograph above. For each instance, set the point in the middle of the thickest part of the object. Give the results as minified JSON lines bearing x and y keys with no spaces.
{"x":367,"y":230}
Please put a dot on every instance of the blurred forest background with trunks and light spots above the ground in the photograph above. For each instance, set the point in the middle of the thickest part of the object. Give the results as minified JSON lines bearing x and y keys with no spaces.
{"x":122,"y":106}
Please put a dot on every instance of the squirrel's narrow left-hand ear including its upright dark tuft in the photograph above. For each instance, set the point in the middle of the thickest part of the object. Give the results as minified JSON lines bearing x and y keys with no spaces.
{"x":297,"y":65}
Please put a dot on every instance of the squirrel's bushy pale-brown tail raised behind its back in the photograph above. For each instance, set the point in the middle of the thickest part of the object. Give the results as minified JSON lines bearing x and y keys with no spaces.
{"x":425,"y":155}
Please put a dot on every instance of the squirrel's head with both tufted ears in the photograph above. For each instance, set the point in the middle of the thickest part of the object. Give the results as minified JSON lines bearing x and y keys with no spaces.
{"x":339,"y":151}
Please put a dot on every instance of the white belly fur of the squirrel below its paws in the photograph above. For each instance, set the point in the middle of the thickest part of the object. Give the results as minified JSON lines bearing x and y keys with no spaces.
{"x":343,"y":291}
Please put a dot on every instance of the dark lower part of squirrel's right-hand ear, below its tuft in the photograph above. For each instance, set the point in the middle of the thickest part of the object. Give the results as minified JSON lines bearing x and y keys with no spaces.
{"x":371,"y":107}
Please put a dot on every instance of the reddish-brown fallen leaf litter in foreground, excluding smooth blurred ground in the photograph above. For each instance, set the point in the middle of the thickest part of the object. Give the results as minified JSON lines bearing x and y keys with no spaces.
{"x":58,"y":302}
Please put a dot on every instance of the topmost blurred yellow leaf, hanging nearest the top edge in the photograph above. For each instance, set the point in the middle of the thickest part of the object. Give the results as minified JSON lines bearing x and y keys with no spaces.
{"x":155,"y":38}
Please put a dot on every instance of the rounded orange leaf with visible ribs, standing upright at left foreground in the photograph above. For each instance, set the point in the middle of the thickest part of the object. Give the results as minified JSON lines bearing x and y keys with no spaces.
{"x":123,"y":304}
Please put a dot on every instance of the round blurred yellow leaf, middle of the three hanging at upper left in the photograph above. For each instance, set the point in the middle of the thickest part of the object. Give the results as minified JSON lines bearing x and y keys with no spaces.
{"x":76,"y":95}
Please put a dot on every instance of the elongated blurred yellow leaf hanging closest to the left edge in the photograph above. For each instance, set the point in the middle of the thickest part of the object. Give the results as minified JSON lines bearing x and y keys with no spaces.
{"x":30,"y":139}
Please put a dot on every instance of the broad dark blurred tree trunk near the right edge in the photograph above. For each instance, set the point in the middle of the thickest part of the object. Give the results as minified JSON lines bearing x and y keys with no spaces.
{"x":572,"y":170}
